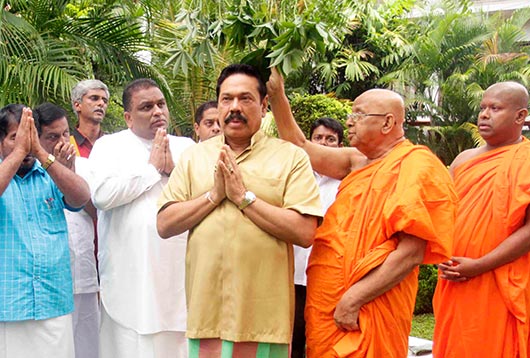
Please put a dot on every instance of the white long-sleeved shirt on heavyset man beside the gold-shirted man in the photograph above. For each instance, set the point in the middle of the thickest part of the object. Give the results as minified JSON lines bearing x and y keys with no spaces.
{"x":141,"y":275}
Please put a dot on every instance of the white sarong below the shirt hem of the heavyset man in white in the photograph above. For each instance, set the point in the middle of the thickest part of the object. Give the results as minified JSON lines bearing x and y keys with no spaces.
{"x":117,"y":341}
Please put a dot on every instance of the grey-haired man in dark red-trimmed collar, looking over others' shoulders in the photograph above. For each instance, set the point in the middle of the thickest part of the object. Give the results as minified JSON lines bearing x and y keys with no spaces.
{"x":89,"y":102}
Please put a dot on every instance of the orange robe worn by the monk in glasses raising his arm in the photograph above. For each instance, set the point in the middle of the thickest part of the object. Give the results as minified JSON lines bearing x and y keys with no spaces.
{"x":408,"y":191}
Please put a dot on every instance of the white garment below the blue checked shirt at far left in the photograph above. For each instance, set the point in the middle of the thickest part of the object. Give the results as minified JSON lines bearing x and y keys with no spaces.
{"x":51,"y":337}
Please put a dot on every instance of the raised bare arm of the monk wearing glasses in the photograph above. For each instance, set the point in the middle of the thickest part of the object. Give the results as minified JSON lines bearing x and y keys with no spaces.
{"x":333,"y":162}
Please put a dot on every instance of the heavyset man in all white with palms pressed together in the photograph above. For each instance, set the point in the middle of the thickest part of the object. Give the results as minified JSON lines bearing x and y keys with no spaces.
{"x":141,"y":276}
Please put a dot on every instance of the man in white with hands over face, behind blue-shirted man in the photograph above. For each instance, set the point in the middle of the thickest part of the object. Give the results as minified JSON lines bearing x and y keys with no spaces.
{"x":54,"y":136}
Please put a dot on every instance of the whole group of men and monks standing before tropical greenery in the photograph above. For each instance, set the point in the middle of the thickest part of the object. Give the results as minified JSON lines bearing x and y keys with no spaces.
{"x":144,"y":244}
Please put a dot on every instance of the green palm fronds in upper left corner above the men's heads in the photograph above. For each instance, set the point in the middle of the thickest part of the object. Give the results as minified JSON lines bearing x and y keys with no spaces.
{"x":46,"y":46}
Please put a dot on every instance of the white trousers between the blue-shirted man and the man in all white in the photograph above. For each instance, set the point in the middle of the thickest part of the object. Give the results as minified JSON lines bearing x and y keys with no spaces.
{"x":85,"y":320}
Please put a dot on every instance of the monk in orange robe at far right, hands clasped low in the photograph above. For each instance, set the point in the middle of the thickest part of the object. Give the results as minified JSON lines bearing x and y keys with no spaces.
{"x":481,"y":303}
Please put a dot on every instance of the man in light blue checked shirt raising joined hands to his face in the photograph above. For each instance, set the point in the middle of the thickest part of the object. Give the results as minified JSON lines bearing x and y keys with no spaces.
{"x":36,"y":296}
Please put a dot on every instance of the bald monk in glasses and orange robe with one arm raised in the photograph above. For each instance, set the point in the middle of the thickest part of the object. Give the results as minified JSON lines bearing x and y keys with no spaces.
{"x":394,"y":209}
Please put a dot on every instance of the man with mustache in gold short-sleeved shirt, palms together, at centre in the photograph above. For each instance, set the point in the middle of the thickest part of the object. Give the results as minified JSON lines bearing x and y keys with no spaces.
{"x":246,"y":199}
